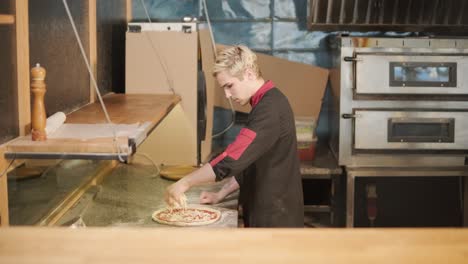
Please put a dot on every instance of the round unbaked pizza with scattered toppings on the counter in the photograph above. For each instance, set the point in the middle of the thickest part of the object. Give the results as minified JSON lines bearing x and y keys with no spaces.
{"x":187,"y":216}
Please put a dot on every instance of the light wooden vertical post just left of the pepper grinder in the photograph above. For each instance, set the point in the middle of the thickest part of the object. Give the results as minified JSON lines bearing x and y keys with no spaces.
{"x":23,"y":69}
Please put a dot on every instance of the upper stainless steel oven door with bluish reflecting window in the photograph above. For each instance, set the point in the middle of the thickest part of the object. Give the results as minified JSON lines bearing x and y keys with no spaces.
{"x":403,"y":74}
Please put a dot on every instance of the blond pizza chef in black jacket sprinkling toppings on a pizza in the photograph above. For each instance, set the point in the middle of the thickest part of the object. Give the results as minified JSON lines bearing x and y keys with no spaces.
{"x":263,"y":156}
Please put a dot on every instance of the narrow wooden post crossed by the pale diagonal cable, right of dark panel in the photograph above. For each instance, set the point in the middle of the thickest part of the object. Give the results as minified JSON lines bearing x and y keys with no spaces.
{"x":92,"y":47}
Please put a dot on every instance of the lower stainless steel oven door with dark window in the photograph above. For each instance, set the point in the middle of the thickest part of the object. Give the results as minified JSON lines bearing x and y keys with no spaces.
{"x":410,"y":130}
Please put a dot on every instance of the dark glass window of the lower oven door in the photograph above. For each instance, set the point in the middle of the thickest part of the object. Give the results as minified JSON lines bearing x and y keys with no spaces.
{"x":421,"y":130}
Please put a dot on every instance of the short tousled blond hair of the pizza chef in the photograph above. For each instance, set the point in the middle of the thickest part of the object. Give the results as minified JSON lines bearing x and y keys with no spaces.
{"x":236,"y":60}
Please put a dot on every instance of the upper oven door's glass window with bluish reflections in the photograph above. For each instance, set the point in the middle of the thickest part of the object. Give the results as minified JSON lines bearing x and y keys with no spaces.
{"x":423,"y":74}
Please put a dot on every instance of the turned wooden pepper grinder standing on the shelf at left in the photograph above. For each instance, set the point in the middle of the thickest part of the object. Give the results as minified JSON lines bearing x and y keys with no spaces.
{"x":38,"y":114}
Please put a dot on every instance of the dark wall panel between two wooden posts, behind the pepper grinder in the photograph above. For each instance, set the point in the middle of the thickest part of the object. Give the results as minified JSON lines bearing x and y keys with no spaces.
{"x":54,"y":46}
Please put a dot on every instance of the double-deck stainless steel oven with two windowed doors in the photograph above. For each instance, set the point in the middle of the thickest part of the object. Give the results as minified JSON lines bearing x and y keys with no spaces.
{"x":401,"y":102}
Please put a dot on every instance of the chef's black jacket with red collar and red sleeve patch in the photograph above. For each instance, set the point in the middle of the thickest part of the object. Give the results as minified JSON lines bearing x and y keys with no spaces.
{"x":265,"y":161}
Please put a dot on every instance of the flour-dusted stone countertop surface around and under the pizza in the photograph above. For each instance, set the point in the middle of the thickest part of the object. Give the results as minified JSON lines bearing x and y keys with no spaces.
{"x":129,"y":195}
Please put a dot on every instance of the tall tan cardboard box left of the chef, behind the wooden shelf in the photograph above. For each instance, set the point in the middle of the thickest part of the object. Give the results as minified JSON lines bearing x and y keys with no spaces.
{"x":153,"y":57}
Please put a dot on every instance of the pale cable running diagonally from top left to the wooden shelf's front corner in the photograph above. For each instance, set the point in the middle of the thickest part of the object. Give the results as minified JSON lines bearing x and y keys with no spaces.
{"x":93,"y":80}
